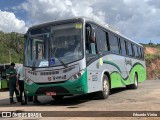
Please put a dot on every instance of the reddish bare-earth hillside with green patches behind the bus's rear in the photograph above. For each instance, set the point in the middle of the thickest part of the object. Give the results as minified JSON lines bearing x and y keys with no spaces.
{"x":152,"y":57}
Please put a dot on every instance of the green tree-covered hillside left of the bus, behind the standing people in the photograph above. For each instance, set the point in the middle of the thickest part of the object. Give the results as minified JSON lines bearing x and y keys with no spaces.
{"x":11,"y":47}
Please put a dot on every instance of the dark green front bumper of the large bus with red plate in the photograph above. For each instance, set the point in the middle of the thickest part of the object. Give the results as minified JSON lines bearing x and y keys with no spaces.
{"x":66,"y":88}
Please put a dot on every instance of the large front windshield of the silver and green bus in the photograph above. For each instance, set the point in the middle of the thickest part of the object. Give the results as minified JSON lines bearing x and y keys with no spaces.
{"x":54,"y":45}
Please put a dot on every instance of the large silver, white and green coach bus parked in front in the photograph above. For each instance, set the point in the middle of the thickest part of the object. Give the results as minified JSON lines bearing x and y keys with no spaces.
{"x":79,"y":56}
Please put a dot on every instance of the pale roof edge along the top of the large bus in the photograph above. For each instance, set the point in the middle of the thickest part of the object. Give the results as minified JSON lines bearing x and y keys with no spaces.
{"x":106,"y":26}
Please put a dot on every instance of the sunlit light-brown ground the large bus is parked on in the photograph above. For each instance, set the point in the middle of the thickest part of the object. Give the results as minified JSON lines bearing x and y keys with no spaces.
{"x":145,"y":98}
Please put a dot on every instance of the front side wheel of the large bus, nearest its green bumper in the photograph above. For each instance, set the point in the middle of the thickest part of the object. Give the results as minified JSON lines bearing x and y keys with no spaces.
{"x":106,"y":88}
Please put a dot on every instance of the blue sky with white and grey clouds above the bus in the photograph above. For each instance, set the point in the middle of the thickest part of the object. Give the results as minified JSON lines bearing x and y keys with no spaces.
{"x":138,"y":20}
